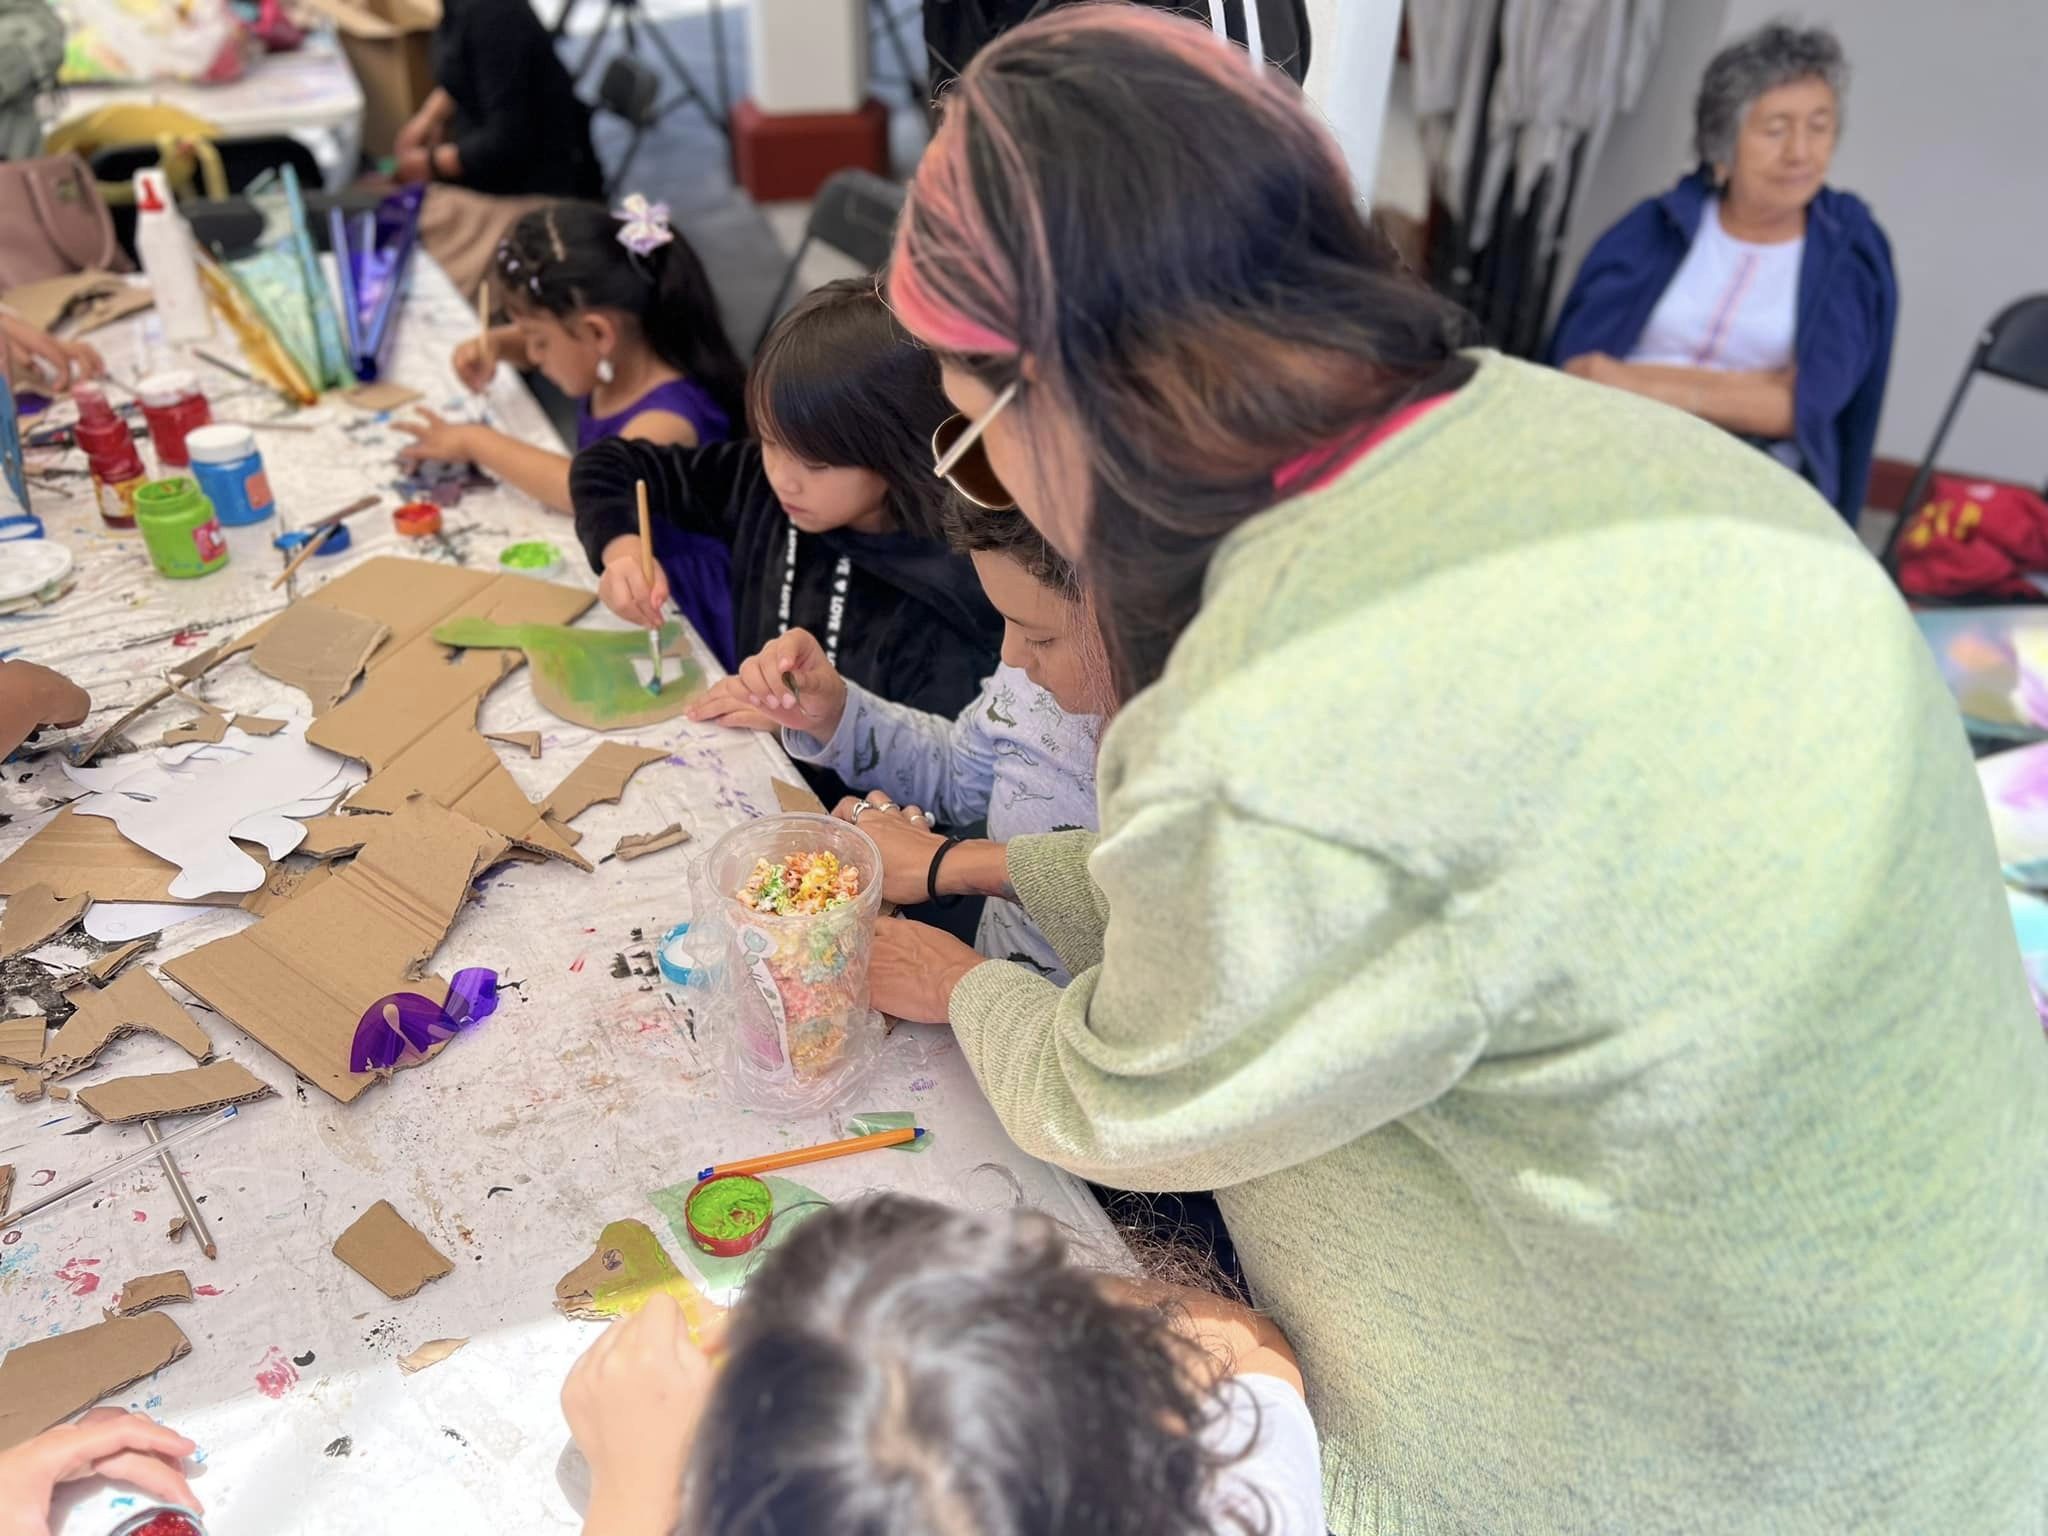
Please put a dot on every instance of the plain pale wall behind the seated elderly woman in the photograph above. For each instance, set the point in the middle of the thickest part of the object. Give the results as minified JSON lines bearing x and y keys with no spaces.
{"x":1947,"y":138}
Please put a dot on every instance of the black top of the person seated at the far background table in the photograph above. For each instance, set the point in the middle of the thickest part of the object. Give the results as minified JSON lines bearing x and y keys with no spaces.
{"x":519,"y":124}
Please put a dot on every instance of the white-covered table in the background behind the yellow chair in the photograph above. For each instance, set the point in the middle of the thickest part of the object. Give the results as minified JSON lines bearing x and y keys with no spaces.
{"x":312,"y":95}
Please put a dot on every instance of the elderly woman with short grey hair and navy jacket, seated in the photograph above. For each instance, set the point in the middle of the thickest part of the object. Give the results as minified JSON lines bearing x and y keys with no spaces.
{"x":1752,"y":294}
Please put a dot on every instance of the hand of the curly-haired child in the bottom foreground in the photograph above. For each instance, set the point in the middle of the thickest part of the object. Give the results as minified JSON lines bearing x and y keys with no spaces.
{"x":634,"y":1404}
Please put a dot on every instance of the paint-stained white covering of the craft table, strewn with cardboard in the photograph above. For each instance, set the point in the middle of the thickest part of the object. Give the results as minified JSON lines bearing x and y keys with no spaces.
{"x":511,"y":1150}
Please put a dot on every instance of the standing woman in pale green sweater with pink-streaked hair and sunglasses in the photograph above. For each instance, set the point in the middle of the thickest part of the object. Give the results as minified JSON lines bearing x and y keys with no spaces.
{"x":1541,"y":888}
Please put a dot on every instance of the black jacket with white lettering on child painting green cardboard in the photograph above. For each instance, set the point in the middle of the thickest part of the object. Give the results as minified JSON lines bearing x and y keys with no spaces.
{"x":914,"y":626}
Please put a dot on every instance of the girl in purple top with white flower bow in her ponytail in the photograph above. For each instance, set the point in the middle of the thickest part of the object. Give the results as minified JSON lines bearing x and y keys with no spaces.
{"x":617,"y":312}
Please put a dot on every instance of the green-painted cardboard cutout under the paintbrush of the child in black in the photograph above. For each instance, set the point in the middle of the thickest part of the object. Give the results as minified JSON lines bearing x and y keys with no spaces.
{"x":589,"y":675}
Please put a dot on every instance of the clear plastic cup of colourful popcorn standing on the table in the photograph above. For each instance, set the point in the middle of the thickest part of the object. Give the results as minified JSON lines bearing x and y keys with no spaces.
{"x":794,"y":990}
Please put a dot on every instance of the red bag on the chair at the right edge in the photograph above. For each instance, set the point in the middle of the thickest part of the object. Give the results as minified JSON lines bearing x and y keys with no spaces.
{"x":1975,"y":540}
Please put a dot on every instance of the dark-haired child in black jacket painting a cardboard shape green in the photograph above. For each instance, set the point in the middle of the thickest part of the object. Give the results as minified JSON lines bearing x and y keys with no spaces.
{"x":828,"y":523}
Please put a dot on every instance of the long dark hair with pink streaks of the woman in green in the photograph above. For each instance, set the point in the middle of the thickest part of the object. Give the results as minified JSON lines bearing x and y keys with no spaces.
{"x":1175,"y":245}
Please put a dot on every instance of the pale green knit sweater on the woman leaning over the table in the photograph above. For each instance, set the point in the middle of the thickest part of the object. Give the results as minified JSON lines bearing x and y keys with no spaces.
{"x":1549,"y":900}
